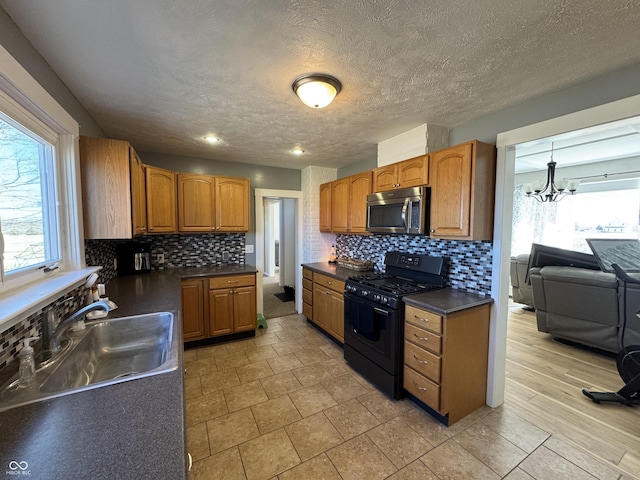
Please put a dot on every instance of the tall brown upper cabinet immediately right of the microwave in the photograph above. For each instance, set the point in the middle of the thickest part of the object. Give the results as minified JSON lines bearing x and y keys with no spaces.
{"x":462,"y":191}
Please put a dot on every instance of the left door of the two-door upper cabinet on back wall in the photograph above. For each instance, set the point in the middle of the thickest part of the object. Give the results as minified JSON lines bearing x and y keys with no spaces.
{"x":195,"y":203}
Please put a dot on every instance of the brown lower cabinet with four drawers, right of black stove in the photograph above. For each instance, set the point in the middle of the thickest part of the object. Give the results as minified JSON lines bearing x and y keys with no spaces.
{"x":445,"y":359}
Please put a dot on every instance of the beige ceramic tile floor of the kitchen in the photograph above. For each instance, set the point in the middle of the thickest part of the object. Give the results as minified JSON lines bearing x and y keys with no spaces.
{"x":284,"y":405}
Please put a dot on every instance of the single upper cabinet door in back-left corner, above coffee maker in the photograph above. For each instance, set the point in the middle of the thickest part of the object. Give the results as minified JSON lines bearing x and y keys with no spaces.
{"x":161,"y":200}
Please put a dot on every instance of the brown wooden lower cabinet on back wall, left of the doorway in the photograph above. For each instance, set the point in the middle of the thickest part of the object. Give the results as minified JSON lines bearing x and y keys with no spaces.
{"x":217,"y":306}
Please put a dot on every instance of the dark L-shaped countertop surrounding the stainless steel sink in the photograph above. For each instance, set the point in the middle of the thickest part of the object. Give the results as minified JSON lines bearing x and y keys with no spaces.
{"x":135,"y":429}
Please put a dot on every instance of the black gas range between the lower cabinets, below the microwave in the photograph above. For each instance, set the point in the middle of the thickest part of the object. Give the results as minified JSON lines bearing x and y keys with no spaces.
{"x":374,"y":315}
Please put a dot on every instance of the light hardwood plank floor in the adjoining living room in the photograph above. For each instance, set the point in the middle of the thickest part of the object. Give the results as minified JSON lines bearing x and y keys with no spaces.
{"x":543,"y":385}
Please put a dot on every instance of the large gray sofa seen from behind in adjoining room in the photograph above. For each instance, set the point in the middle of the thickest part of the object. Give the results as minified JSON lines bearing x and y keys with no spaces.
{"x":585,"y":306}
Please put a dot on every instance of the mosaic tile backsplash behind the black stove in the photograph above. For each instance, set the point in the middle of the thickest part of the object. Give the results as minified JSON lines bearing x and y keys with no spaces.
{"x":468,"y":263}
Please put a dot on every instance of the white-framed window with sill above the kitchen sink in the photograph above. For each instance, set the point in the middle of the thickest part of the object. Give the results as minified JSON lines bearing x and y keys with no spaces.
{"x":40,"y":204}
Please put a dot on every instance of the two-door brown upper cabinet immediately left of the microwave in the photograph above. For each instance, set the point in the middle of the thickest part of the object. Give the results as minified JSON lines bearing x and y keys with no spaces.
{"x":349,"y":203}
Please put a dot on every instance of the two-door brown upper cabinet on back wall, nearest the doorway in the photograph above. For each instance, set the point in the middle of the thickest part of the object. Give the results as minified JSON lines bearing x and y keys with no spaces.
{"x":207,"y":203}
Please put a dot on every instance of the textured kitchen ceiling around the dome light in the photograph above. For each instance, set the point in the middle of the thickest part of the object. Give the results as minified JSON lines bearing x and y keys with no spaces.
{"x":164,"y":73}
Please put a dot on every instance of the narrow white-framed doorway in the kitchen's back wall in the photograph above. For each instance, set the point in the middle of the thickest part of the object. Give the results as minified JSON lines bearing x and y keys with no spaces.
{"x":278,"y":251}
